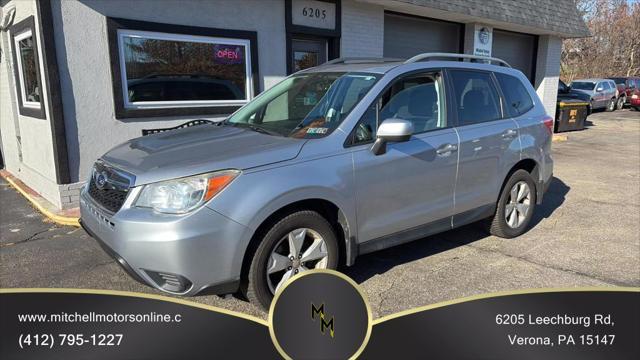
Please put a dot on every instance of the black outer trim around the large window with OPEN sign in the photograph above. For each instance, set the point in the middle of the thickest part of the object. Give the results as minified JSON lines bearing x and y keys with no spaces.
{"x":114,"y":24}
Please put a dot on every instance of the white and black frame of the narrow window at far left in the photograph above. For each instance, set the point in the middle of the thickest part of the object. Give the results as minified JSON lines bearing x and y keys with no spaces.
{"x":20,"y":31}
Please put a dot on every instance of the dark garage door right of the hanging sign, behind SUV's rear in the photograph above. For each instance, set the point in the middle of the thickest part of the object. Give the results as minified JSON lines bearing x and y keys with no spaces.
{"x":519,"y":50}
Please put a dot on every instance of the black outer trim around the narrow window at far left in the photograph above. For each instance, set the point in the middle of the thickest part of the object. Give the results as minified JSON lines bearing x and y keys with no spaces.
{"x":25,"y":25}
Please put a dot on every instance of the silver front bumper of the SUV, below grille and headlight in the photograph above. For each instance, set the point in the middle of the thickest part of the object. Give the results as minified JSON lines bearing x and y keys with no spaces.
{"x":196,"y":253}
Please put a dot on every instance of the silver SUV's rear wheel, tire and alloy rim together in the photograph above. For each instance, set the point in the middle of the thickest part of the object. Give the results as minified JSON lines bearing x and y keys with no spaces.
{"x":515,"y":207}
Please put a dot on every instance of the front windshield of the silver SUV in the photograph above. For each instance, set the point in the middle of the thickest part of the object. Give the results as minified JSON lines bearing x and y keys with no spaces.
{"x":305,"y":106}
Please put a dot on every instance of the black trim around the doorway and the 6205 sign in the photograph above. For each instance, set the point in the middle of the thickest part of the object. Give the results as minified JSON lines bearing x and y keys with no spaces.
{"x":298,"y":31}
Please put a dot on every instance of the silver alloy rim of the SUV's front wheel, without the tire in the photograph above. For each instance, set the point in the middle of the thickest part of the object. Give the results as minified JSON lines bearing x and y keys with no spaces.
{"x":300,"y":250}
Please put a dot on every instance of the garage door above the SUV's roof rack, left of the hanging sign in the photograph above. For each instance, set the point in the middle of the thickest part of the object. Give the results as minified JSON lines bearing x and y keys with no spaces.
{"x":406,"y":36}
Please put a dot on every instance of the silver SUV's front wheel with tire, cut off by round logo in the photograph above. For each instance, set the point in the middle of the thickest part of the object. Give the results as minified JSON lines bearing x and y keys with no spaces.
{"x":301,"y":241}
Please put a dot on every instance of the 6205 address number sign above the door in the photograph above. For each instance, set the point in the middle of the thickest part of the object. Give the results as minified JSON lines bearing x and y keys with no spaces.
{"x":312,"y":13}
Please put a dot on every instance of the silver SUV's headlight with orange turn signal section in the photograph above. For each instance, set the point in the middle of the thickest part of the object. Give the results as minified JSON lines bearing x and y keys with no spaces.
{"x":183,"y":195}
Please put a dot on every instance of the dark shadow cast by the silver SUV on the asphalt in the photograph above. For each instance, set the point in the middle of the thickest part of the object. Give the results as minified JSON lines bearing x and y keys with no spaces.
{"x":379,"y":262}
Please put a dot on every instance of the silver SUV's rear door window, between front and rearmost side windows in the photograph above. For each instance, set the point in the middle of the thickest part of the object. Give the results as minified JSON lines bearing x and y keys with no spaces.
{"x":476,"y":97}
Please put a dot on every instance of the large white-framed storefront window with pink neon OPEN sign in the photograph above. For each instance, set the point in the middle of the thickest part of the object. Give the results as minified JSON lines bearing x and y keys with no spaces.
{"x":173,"y":70}
